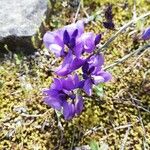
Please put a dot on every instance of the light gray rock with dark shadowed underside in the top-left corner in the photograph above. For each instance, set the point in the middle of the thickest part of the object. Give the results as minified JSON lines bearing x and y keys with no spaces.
{"x":19,"y":21}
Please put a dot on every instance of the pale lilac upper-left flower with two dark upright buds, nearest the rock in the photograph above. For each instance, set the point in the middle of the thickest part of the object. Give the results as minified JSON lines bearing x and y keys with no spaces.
{"x":64,"y":39}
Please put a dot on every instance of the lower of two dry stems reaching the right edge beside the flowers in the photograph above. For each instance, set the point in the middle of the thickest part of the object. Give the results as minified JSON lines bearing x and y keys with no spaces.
{"x":127,"y":56}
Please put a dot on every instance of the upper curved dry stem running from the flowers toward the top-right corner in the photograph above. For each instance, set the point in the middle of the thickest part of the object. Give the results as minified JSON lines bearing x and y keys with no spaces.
{"x":122,"y":29}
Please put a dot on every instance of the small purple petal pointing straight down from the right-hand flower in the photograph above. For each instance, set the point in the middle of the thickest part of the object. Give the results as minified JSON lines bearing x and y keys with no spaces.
{"x":88,"y":87}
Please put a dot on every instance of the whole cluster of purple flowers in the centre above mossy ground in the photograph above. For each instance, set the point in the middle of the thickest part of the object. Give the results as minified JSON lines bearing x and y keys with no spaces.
{"x":76,"y":48}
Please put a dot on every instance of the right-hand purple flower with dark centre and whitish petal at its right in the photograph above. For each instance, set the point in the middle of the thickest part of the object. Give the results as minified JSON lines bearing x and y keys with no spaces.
{"x":93,"y":73}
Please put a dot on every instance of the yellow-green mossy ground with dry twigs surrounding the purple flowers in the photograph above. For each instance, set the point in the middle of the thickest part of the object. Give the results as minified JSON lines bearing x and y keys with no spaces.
{"x":122,"y":110}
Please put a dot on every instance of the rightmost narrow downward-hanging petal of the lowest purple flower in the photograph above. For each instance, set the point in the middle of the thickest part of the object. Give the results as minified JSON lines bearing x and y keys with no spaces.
{"x":78,"y":105}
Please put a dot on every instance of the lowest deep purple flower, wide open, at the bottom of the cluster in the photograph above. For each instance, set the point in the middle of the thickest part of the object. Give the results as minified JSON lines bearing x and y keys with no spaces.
{"x":62,"y":97}
